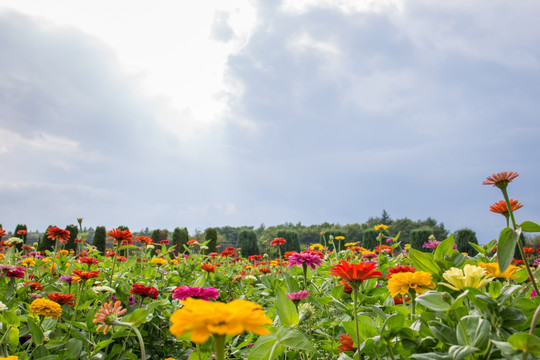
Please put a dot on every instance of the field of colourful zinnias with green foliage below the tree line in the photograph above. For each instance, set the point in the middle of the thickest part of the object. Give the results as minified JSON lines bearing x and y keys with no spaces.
{"x":393,"y":302}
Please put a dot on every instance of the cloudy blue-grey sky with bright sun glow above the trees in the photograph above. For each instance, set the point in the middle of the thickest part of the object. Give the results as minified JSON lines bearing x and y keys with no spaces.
{"x":237,"y":112}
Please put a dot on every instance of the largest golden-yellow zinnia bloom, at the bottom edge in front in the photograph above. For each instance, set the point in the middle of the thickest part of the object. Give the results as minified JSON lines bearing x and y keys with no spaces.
{"x":204,"y":318}
